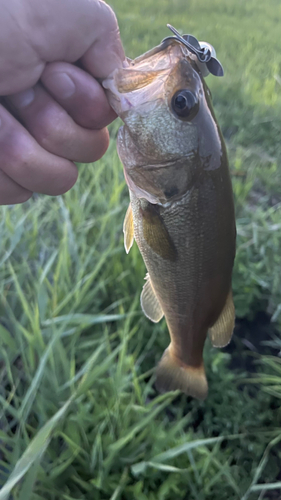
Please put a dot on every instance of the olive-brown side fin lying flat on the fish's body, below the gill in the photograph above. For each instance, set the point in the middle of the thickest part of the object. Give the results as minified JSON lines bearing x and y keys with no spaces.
{"x":156,"y":235}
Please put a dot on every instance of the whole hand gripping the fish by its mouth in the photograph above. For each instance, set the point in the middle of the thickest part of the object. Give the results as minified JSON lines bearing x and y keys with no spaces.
{"x":53,"y":111}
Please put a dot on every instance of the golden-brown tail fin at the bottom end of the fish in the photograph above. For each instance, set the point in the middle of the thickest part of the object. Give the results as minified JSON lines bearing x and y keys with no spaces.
{"x":171,"y":375}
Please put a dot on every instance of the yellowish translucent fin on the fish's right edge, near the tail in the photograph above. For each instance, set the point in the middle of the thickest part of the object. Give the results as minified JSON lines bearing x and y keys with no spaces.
{"x":221,"y":331}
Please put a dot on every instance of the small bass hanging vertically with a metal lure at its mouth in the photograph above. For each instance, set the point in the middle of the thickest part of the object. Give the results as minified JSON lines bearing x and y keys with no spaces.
{"x":181,"y":211}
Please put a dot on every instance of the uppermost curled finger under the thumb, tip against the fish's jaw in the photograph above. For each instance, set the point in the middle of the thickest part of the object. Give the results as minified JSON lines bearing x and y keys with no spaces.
{"x":79,"y":94}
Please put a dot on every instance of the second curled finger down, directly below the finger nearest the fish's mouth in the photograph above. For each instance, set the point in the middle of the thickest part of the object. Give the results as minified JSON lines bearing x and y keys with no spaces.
{"x":55,"y":130}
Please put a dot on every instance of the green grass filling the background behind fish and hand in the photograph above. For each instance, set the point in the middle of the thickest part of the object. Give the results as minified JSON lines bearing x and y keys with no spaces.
{"x":79,"y":415}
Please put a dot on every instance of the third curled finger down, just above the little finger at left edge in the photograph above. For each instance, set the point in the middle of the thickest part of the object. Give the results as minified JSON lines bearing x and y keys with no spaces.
{"x":28,"y":164}
